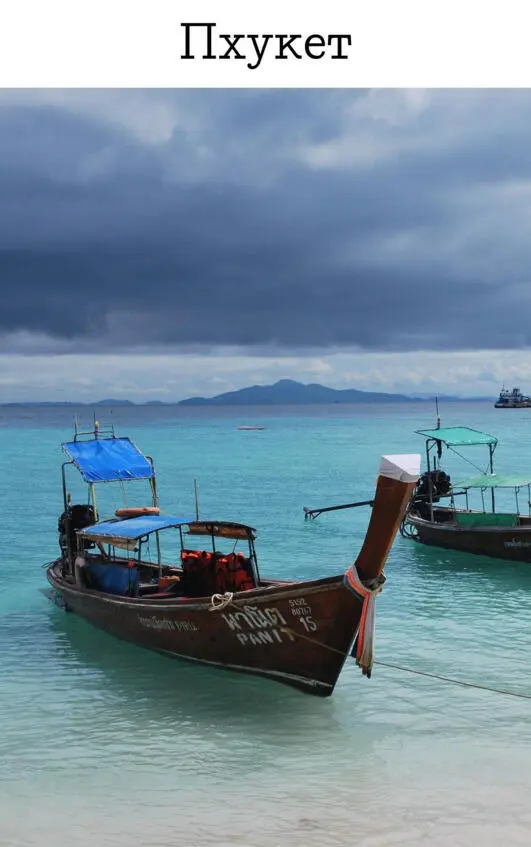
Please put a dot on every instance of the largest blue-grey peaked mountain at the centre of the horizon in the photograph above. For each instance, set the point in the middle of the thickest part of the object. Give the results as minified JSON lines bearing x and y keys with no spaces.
{"x":288,"y":392}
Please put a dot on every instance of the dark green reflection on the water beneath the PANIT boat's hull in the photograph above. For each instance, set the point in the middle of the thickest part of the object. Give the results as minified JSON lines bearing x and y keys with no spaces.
{"x":147,"y":687}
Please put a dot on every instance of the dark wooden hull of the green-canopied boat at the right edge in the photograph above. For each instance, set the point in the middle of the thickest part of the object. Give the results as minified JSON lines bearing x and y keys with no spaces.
{"x":513,"y":543}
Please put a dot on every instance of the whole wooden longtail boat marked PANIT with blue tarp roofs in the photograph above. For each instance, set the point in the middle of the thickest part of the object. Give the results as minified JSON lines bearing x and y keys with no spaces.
{"x":209,"y":604}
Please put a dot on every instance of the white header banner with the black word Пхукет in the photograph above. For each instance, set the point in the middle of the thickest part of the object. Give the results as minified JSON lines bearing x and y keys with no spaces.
{"x":290,"y":44}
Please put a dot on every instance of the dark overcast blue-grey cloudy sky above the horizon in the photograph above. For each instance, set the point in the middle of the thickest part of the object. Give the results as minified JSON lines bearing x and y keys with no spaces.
{"x":157,"y":244}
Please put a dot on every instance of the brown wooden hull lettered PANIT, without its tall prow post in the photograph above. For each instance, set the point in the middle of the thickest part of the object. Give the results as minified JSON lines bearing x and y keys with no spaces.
{"x":296,"y":633}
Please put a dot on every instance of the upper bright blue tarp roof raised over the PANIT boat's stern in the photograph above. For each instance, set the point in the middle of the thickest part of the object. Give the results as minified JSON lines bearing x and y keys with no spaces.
{"x":108,"y":460}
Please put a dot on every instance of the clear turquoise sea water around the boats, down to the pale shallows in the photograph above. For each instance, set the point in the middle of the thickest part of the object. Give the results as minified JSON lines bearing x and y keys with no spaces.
{"x":103,"y":743}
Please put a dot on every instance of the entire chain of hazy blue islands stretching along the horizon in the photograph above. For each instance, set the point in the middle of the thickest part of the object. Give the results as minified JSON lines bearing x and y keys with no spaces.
{"x":285,"y":392}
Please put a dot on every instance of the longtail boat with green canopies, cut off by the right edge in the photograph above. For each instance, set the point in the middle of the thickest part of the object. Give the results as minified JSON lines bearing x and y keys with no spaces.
{"x":485,"y":530}
